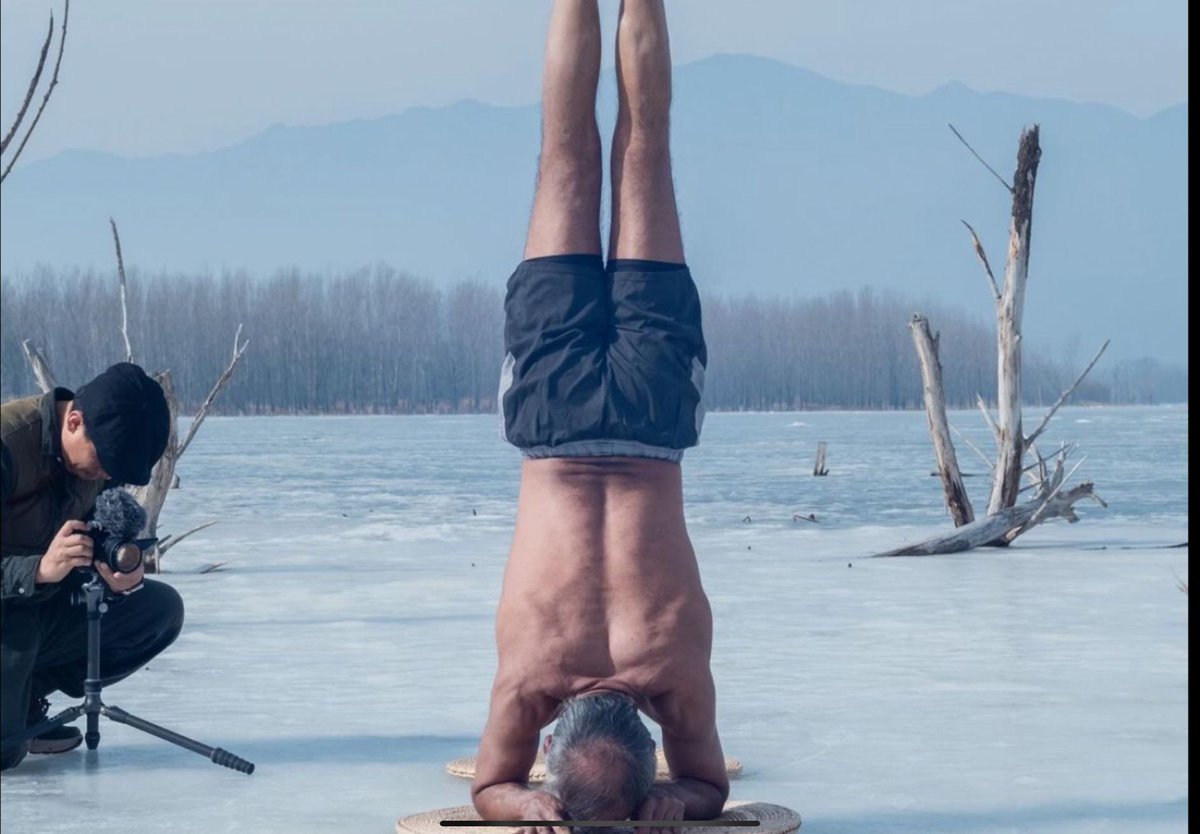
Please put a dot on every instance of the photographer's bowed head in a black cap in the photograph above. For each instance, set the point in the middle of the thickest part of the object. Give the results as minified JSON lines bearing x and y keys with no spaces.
{"x":116,"y":428}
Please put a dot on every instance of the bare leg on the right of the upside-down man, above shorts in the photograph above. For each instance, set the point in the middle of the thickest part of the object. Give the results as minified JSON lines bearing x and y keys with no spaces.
{"x":645,"y":217}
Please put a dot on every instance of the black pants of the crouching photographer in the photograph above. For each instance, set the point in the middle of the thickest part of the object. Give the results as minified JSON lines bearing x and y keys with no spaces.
{"x":44,"y":647}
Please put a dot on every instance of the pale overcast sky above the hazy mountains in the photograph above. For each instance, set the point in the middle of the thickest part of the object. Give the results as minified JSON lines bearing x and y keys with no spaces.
{"x":146,"y":77}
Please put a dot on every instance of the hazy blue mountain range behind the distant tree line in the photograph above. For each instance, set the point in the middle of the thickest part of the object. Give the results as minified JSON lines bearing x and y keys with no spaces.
{"x":788,"y":183}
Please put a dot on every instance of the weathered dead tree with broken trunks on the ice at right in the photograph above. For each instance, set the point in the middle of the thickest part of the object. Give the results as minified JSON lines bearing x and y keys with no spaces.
{"x":1006,"y":520}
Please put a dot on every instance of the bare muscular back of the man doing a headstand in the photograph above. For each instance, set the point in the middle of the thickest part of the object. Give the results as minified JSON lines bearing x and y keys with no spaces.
{"x":602,"y":589}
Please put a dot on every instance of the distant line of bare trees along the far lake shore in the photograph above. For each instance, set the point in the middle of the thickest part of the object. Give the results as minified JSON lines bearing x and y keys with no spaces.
{"x":382,"y":341}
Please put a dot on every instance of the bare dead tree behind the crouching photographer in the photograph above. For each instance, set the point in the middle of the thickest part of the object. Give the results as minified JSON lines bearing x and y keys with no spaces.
{"x":154,"y":495}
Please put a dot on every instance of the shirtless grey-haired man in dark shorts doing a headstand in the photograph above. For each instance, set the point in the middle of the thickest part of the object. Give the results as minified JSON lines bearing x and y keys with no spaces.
{"x":603,"y":615}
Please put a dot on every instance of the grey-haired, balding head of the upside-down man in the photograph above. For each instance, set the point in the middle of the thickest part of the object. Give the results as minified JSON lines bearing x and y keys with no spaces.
{"x":601,"y":759}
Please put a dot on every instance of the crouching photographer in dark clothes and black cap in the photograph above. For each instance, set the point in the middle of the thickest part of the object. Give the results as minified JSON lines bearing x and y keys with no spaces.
{"x":59,"y":454}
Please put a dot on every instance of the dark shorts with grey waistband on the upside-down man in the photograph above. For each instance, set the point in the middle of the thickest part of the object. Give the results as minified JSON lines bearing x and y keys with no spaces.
{"x":602,"y":362}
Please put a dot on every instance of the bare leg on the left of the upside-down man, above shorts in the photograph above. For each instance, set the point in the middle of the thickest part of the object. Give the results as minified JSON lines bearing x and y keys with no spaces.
{"x":567,"y":205}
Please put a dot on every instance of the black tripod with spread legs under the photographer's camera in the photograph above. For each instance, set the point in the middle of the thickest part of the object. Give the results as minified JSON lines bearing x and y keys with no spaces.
{"x":93,"y":596}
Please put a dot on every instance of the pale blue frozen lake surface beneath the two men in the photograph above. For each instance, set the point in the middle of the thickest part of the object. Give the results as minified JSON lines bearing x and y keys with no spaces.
{"x":347,"y":647}
